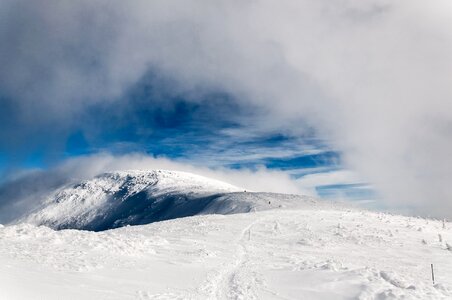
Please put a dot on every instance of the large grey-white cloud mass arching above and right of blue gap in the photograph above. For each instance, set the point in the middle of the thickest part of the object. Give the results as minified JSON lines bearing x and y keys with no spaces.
{"x":372,"y":77}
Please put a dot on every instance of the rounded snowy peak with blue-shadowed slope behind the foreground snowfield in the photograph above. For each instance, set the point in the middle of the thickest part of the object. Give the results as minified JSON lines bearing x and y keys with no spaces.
{"x":122,"y":198}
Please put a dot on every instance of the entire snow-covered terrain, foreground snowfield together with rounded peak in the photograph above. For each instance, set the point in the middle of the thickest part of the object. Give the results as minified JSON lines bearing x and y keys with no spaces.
{"x":262,"y":246}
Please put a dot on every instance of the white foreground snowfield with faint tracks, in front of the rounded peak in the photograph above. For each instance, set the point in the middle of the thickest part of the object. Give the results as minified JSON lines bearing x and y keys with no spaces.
{"x":279,"y":254}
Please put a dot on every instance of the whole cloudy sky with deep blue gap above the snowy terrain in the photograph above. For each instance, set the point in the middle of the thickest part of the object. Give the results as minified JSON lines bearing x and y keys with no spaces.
{"x":345,"y":99}
